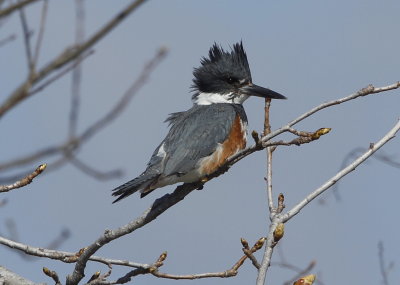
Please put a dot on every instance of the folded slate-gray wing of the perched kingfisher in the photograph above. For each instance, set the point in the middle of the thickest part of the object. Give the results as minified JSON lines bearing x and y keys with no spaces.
{"x":196,"y":134}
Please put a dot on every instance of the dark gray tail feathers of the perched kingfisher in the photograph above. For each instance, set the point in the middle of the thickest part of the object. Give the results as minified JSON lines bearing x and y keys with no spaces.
{"x":134,"y":185}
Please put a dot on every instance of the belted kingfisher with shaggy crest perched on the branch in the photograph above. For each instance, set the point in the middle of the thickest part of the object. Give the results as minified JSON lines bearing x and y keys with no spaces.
{"x":202,"y":138}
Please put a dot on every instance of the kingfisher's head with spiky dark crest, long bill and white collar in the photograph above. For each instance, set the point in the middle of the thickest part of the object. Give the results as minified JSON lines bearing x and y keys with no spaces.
{"x":225,"y":77}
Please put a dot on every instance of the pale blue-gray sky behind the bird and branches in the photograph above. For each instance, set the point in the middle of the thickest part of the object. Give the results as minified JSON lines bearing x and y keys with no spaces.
{"x":310,"y":51}
